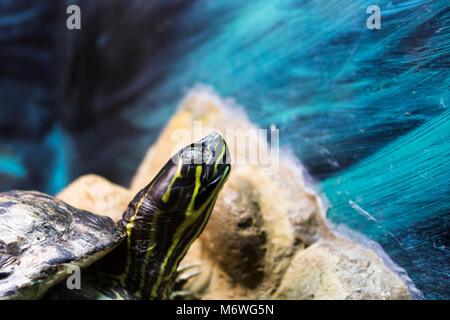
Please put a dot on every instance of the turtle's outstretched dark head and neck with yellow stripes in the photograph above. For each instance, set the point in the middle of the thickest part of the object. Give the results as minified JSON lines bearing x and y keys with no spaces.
{"x":171,"y":212}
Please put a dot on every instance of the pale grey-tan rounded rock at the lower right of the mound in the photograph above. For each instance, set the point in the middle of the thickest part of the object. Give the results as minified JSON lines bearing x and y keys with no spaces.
{"x":339,"y":269}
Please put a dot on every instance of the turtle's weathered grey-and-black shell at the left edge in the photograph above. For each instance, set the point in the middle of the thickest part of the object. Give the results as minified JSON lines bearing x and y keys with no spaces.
{"x":42,"y":238}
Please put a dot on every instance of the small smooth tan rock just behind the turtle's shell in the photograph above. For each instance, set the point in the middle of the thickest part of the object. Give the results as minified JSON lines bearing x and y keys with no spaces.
{"x":96,"y":194}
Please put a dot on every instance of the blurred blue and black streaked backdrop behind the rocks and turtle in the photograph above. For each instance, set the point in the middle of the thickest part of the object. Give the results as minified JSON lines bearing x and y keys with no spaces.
{"x":366,"y":111}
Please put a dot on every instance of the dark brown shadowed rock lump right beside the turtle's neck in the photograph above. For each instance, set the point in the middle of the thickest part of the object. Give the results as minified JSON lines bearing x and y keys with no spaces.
{"x":237,"y":238}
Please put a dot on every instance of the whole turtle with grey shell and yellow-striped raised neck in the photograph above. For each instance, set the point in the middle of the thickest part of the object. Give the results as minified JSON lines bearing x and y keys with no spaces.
{"x":44,"y":241}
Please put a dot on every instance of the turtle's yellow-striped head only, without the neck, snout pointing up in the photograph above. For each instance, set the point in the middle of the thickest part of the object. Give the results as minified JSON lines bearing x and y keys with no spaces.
{"x":193,"y":178}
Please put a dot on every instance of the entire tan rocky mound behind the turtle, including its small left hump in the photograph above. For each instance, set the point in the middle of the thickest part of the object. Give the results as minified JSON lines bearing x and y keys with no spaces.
{"x":267,"y":237}
